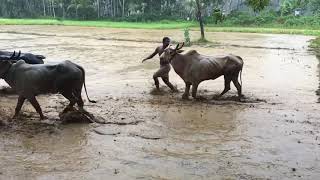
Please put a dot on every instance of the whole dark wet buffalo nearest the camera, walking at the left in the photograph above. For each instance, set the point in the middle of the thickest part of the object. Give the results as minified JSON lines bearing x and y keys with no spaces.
{"x":29,"y":81}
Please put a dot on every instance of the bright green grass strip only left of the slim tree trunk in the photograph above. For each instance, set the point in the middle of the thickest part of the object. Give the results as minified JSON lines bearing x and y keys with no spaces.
{"x":110,"y":24}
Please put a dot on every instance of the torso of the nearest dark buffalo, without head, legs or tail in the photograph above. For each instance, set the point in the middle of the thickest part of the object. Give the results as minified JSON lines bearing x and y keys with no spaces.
{"x":44,"y":78}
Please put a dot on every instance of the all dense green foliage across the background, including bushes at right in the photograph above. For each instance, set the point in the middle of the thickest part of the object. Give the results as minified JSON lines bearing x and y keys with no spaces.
{"x":214,"y":11}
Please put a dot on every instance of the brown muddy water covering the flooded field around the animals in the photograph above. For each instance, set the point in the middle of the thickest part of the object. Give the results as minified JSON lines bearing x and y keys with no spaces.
{"x":273,"y":134}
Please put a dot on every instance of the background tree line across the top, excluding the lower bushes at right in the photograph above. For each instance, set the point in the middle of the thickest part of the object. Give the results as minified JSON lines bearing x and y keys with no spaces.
{"x":134,"y":10}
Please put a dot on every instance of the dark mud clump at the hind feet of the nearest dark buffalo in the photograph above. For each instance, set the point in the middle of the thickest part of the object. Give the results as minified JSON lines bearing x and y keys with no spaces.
{"x":76,"y":116}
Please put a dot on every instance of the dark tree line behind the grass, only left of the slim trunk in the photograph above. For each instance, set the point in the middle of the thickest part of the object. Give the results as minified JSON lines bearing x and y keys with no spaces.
{"x":128,"y":10}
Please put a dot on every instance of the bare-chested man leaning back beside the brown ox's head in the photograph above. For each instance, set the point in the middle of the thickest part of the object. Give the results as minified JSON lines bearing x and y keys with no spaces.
{"x":163,"y":72}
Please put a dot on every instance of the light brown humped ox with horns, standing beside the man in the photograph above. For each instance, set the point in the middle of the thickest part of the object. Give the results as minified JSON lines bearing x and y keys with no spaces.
{"x":194,"y":68}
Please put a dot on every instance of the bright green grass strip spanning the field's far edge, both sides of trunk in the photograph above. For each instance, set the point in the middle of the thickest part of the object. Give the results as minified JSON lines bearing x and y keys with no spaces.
{"x":162,"y":25}
